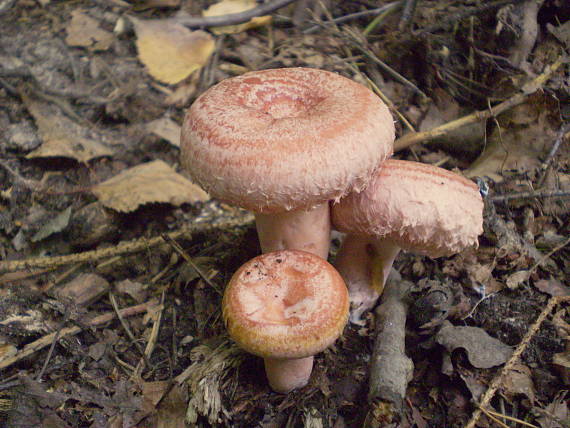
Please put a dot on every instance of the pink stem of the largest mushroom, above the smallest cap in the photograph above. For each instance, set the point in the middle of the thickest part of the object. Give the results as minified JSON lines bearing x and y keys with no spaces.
{"x":307,"y":230}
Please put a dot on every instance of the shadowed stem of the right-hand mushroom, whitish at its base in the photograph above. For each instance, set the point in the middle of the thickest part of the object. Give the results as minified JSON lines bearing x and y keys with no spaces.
{"x":365,"y":264}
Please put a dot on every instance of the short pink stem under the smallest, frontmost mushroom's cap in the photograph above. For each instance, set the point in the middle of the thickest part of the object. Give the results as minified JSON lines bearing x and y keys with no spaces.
{"x":285,"y":375}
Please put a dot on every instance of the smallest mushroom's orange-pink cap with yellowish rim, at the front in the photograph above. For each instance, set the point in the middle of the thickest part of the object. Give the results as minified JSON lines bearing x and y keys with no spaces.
{"x":285,"y":304}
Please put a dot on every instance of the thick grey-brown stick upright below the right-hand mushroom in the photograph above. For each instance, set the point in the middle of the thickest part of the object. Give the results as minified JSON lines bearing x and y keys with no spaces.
{"x":390,"y":368}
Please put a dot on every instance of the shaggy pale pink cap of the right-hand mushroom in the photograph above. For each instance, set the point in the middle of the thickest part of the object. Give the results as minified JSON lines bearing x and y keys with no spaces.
{"x":422,"y":208}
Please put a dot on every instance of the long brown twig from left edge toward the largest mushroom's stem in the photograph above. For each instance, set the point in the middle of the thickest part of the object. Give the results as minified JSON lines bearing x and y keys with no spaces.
{"x":240,"y":219}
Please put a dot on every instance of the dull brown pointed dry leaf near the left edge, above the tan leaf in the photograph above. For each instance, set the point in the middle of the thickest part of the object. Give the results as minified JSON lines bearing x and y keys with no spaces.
{"x":61,"y":136}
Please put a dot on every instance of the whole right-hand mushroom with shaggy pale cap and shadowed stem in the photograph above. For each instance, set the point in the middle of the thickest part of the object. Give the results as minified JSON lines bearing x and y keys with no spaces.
{"x":408,"y":205}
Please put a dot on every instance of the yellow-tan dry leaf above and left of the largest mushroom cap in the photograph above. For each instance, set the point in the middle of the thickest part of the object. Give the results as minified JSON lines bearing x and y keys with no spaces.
{"x":170,"y":51}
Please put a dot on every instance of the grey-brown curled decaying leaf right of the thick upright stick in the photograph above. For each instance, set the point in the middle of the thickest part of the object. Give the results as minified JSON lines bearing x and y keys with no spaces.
{"x":483,"y":351}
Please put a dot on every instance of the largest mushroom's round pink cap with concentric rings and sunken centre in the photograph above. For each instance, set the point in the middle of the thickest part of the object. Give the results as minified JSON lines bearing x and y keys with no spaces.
{"x":282,"y":139}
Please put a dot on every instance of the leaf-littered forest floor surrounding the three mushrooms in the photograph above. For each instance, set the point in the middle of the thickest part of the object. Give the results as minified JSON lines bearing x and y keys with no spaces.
{"x":113,"y":264}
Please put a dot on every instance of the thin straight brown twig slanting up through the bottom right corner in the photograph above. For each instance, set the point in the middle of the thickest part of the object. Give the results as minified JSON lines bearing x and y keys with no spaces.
{"x":498,"y":380}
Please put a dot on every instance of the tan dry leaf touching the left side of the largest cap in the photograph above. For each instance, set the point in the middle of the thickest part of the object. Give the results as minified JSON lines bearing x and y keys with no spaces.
{"x":147,"y":183}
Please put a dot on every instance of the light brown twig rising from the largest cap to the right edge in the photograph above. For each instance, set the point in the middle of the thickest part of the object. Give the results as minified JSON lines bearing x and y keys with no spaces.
{"x":426,"y":136}
